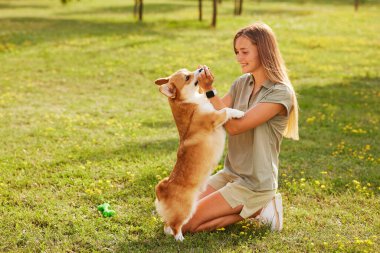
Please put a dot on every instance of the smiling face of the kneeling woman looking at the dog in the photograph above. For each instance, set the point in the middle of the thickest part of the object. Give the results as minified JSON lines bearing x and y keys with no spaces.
{"x":247,"y":55}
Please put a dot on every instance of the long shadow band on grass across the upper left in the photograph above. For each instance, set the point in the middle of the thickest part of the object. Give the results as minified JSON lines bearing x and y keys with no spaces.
{"x":32,"y":31}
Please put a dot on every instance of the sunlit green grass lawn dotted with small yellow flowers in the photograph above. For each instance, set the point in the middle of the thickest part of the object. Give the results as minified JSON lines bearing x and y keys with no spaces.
{"x":82,"y":123}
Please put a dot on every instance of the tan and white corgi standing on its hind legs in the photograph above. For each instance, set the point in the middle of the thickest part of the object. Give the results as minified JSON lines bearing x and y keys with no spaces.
{"x":201,"y":145}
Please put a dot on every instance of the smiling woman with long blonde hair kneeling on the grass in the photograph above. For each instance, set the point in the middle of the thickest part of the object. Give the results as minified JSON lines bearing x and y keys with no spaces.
{"x":246,"y":186}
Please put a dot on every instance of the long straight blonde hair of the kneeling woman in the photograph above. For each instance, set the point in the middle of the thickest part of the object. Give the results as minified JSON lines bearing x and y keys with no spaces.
{"x":264,"y":38}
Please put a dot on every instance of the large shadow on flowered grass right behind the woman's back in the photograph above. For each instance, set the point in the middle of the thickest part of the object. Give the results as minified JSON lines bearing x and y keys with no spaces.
{"x":331,"y":115}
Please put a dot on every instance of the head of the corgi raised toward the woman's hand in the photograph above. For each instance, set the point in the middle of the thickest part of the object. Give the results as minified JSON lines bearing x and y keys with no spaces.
{"x":181,"y":85}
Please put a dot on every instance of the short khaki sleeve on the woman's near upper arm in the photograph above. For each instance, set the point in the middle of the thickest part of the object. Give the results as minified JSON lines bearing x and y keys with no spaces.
{"x":280,"y":94}
